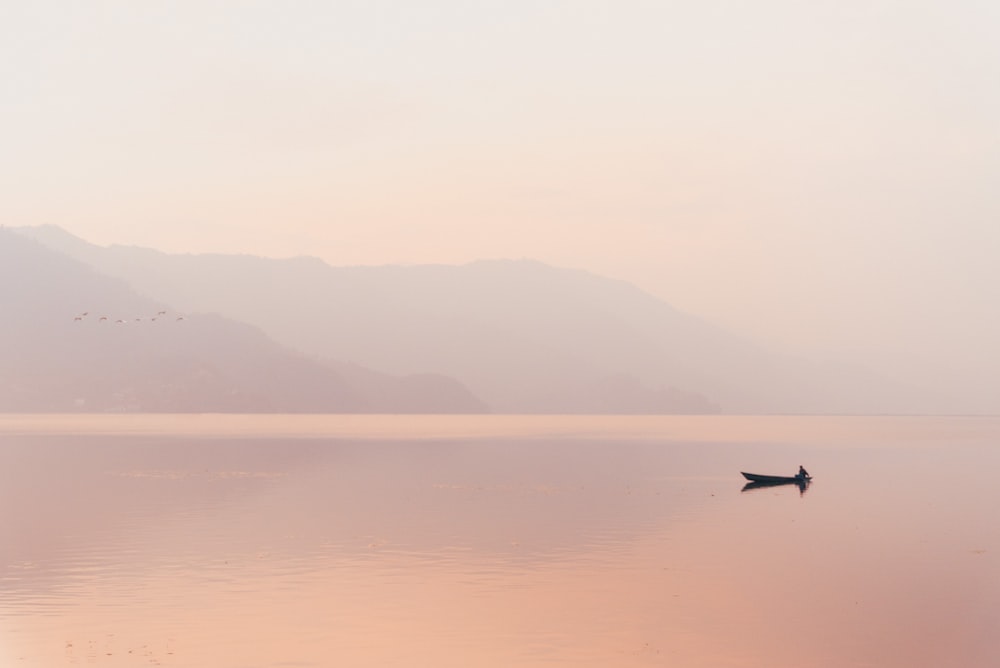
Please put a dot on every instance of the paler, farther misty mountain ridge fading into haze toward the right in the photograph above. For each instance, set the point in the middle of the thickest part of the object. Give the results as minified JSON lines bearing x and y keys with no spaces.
{"x":524,"y":336}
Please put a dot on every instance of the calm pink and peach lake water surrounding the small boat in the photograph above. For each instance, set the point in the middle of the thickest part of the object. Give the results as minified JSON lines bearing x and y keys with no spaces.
{"x":267,"y":541}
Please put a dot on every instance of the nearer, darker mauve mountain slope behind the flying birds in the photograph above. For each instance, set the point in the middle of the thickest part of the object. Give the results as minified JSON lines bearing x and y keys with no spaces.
{"x":72,"y":339}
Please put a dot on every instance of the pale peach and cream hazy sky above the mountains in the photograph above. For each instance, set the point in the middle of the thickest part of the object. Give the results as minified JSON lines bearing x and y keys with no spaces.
{"x":817,"y":173}
